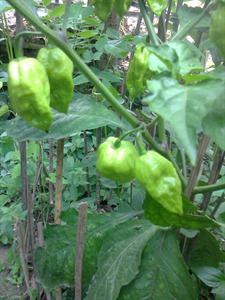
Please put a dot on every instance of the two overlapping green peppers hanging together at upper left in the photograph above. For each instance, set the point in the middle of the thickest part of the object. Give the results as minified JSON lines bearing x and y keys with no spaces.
{"x":36,"y":85}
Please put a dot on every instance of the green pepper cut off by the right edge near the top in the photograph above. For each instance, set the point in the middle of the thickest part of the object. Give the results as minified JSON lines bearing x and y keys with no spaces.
{"x":217,"y":29}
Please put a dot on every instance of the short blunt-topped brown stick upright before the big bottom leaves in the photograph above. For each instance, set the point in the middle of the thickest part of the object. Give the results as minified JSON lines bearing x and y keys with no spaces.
{"x":81,"y":228}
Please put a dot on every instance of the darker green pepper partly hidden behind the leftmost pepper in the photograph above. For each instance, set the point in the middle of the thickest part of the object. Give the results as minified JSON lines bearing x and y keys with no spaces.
{"x":60,"y":70}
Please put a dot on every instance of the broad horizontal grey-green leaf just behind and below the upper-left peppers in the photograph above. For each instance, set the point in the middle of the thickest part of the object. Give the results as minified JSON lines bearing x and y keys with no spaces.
{"x":84,"y":113}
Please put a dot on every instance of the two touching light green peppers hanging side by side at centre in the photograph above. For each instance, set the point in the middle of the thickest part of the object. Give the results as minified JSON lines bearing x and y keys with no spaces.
{"x":119,"y":160}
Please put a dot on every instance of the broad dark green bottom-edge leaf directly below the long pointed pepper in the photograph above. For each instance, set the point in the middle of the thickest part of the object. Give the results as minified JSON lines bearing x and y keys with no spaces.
{"x":163,"y":274}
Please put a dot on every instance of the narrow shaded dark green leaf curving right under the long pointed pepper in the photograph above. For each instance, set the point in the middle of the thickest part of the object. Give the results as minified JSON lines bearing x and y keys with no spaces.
{"x":158,"y":215}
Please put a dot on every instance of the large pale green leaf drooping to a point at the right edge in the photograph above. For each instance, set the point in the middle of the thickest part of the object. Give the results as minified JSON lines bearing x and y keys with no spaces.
{"x":185,"y":114}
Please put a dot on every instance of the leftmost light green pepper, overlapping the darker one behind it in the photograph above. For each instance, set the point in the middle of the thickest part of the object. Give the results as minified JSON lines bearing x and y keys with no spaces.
{"x":29,"y":91}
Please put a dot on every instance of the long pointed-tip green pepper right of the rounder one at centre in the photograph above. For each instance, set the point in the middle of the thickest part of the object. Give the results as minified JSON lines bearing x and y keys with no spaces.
{"x":158,"y":176}
